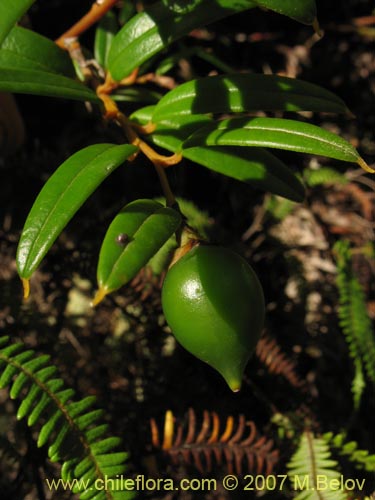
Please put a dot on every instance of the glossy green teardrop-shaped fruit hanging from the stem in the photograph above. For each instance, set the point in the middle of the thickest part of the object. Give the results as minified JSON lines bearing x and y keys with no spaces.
{"x":213,"y":302}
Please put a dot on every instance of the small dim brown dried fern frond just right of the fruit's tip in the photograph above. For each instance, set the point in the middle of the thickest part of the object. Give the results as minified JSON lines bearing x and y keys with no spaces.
{"x":269,"y":353}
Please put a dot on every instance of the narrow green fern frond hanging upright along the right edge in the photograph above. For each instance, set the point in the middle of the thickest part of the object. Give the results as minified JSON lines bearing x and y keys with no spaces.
{"x":354,"y":319}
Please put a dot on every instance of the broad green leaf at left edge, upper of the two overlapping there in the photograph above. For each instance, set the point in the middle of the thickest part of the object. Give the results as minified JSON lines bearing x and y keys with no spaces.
{"x":25,"y":49}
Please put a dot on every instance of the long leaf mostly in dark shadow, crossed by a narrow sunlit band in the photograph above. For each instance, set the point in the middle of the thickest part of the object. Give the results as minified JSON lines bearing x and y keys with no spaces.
{"x":246,"y":92}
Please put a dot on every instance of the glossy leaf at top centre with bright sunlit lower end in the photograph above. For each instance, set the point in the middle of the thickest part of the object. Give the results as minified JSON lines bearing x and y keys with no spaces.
{"x":159,"y":25}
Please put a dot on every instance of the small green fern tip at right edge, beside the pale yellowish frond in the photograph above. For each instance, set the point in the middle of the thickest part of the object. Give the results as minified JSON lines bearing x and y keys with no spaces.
{"x":361,"y":459}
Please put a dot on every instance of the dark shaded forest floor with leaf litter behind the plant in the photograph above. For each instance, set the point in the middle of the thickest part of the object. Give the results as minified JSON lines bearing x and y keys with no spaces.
{"x":123,"y":353}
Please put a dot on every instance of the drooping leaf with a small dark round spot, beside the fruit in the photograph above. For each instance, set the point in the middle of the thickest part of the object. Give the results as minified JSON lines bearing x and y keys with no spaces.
{"x":134,"y":236}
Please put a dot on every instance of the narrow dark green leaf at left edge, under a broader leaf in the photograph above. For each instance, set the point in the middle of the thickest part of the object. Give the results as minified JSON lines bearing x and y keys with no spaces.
{"x":27,"y":81}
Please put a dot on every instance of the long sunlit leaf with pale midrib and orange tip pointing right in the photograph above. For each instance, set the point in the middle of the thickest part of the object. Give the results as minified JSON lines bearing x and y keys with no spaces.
{"x":275,"y":133}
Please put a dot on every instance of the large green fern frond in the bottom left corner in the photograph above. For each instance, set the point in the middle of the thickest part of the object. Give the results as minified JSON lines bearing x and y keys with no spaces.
{"x":72,"y":429}
